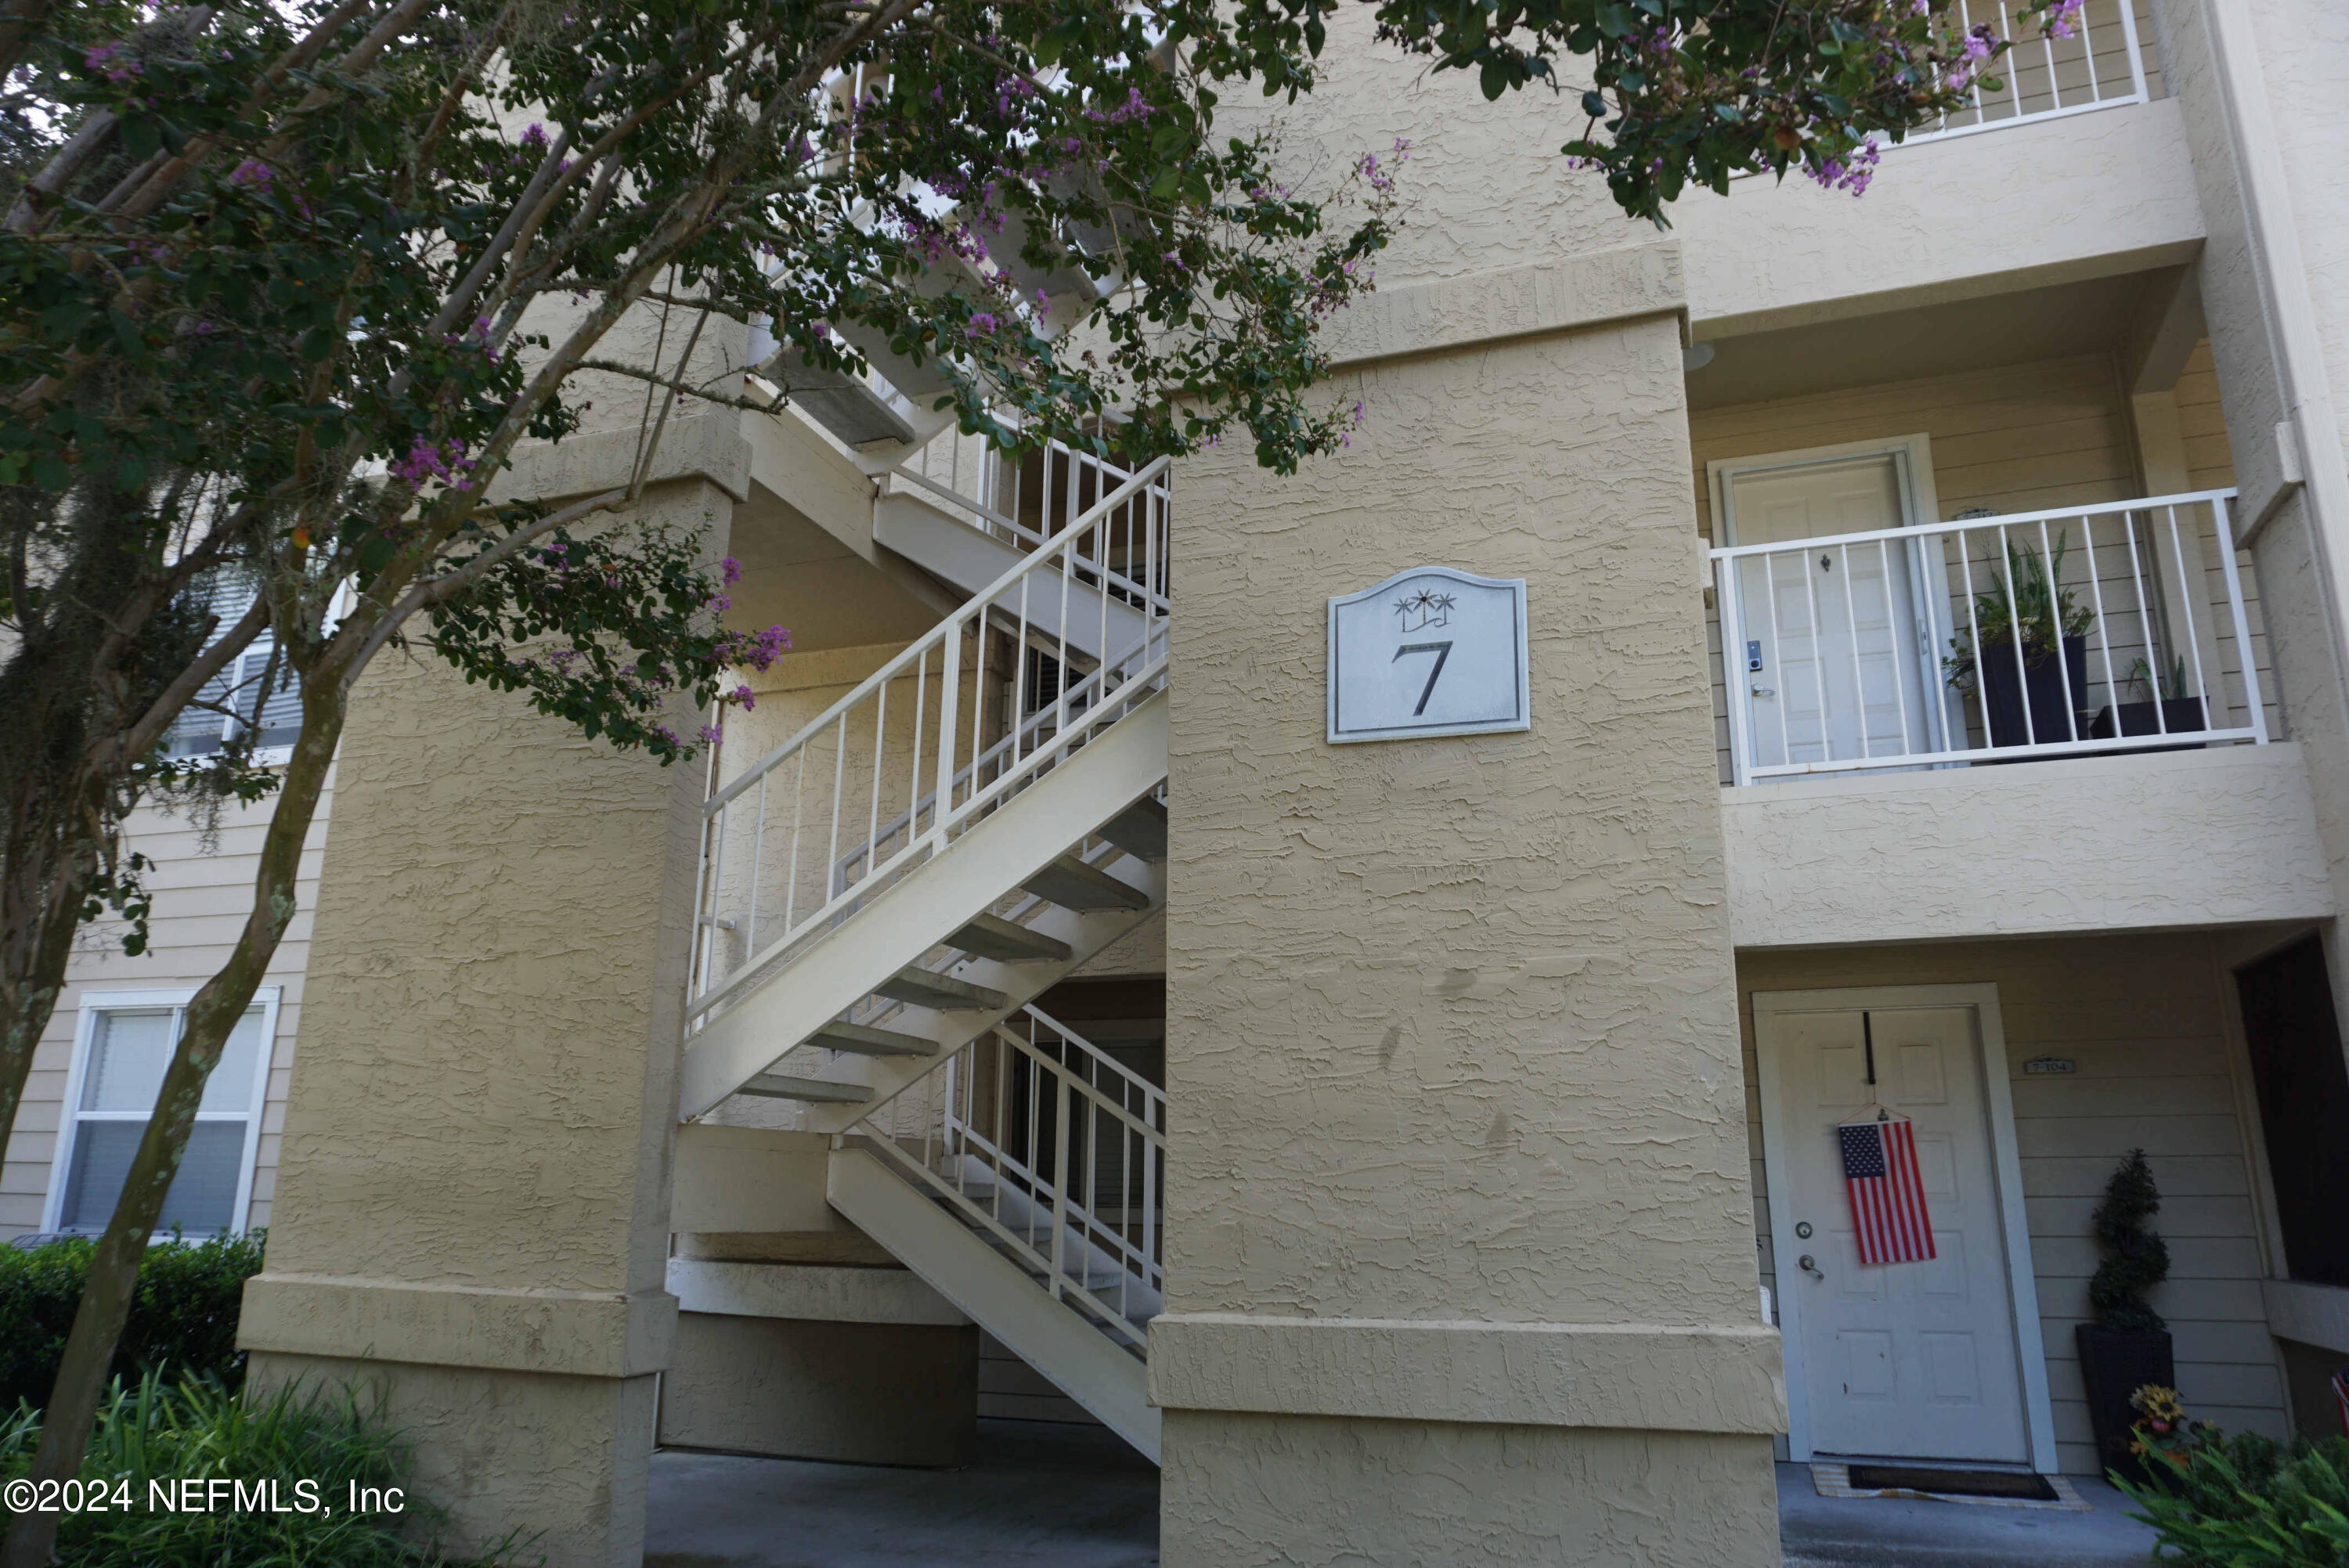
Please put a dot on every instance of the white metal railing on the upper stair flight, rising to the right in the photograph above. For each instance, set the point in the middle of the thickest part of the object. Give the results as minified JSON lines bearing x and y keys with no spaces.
{"x":941,"y":738}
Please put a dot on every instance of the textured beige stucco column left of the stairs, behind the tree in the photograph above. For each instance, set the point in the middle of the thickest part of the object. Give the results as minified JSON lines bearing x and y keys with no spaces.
{"x":473,"y":1203}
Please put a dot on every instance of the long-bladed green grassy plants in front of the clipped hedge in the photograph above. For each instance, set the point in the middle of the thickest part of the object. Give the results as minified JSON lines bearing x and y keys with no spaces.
{"x":196,"y":1431}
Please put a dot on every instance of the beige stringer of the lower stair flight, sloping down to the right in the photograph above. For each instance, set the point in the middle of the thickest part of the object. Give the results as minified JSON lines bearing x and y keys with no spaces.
{"x":992,"y":1292}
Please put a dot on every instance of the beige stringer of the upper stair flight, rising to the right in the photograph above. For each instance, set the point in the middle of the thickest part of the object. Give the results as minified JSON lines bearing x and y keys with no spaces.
{"x":920,"y":912}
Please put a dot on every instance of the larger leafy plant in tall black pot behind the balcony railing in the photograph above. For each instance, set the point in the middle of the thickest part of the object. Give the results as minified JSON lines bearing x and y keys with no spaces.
{"x":2031,"y":647}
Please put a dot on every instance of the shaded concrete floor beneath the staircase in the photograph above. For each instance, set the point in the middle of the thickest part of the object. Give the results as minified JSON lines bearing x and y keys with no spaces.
{"x":1042,"y":1496}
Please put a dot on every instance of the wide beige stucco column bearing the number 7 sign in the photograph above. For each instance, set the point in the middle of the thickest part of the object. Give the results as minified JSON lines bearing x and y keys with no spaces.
{"x":1460,"y":1222}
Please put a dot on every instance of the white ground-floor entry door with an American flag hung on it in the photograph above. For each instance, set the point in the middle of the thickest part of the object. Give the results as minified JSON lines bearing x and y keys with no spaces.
{"x":1899,"y":1360}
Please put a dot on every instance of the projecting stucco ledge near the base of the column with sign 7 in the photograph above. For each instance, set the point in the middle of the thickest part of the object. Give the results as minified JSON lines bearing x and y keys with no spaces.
{"x":1622,"y":1377}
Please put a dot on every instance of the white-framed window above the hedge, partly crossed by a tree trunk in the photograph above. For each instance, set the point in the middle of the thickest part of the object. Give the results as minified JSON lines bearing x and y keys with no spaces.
{"x":121,"y":1053}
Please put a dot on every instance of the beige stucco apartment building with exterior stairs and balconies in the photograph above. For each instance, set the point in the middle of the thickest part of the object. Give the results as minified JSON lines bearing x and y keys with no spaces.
{"x":1425,"y":1149}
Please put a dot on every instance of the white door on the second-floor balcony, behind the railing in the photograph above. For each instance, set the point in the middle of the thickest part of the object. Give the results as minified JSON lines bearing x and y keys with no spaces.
{"x":1836,"y":665}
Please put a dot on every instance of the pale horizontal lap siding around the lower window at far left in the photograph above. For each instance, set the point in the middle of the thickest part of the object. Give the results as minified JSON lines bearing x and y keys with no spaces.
{"x":203,"y":891}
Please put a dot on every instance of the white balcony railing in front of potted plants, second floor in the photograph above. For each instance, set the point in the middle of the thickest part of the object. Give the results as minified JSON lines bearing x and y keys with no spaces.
{"x":2080,"y":630}
